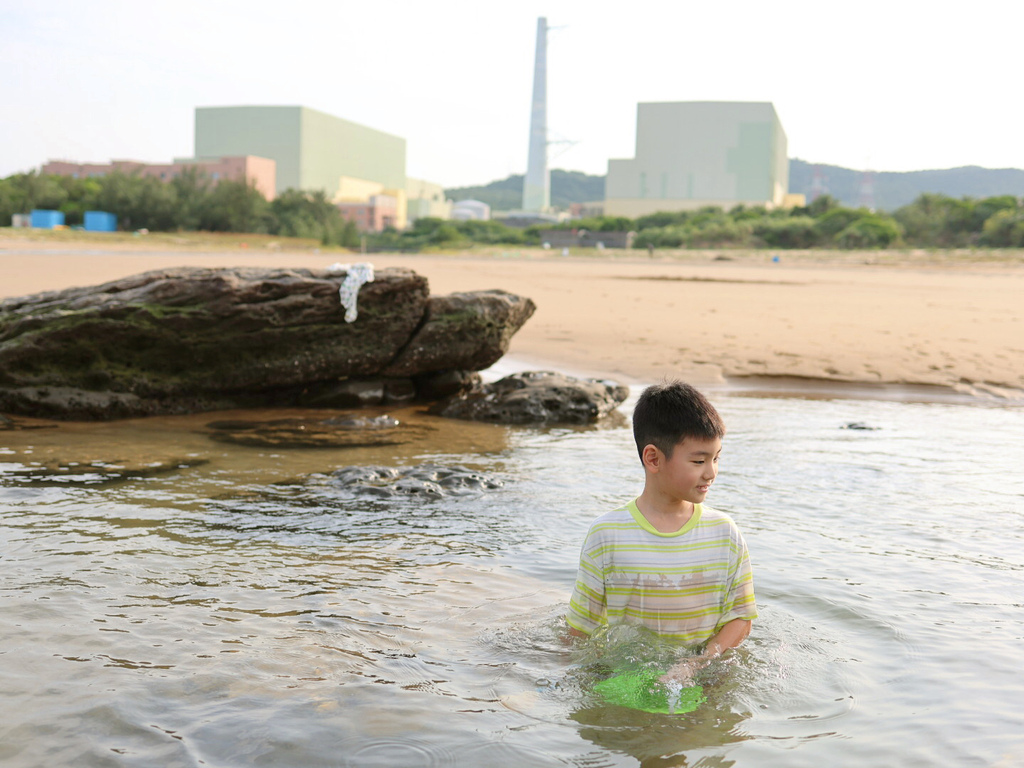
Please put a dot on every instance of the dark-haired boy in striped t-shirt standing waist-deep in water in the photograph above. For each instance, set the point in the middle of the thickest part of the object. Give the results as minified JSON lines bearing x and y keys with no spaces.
{"x":665,"y":561}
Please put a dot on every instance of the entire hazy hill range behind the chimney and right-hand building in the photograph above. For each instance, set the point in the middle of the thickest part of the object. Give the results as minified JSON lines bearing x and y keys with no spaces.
{"x":891,"y":190}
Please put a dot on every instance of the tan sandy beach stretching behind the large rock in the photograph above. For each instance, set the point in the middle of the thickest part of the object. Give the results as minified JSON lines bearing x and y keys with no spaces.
{"x":879,"y":325}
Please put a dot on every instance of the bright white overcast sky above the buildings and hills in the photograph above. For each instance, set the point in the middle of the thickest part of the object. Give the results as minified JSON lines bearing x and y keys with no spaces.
{"x":891,"y":87}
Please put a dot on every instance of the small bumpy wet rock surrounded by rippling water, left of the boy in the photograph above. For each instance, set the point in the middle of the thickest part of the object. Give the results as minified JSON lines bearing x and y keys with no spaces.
{"x":430,"y":481}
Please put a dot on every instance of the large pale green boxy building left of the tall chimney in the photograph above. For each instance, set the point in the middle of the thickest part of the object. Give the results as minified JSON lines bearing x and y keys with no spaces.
{"x":313,"y":151}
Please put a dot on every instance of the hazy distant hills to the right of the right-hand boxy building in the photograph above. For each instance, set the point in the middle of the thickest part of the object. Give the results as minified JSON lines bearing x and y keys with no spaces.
{"x":891,"y":190}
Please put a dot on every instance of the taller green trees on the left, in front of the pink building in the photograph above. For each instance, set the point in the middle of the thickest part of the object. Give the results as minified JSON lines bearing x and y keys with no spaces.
{"x":191,"y":201}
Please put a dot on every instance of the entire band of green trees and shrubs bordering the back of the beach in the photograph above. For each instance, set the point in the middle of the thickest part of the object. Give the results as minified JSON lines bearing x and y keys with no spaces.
{"x":193,"y":201}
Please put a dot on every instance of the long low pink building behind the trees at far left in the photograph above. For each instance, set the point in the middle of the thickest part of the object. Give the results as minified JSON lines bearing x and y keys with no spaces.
{"x":262,"y":173}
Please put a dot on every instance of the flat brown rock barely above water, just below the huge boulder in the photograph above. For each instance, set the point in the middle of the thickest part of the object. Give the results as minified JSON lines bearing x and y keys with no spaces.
{"x":349,"y":432}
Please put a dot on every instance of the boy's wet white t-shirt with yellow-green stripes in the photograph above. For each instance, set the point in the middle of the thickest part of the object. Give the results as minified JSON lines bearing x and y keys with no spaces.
{"x":685,"y":586}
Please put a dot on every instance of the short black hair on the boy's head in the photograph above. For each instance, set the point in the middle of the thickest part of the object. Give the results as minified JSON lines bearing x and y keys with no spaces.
{"x":667,"y":414}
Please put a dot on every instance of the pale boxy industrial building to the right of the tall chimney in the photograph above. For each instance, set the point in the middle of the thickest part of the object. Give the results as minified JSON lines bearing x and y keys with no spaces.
{"x":696,"y":154}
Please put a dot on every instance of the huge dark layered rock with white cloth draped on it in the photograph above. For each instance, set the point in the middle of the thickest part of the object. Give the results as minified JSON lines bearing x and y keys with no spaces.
{"x":188,"y":339}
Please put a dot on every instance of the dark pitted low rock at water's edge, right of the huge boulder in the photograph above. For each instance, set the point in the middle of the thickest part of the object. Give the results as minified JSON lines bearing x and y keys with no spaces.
{"x":536,"y":398}
